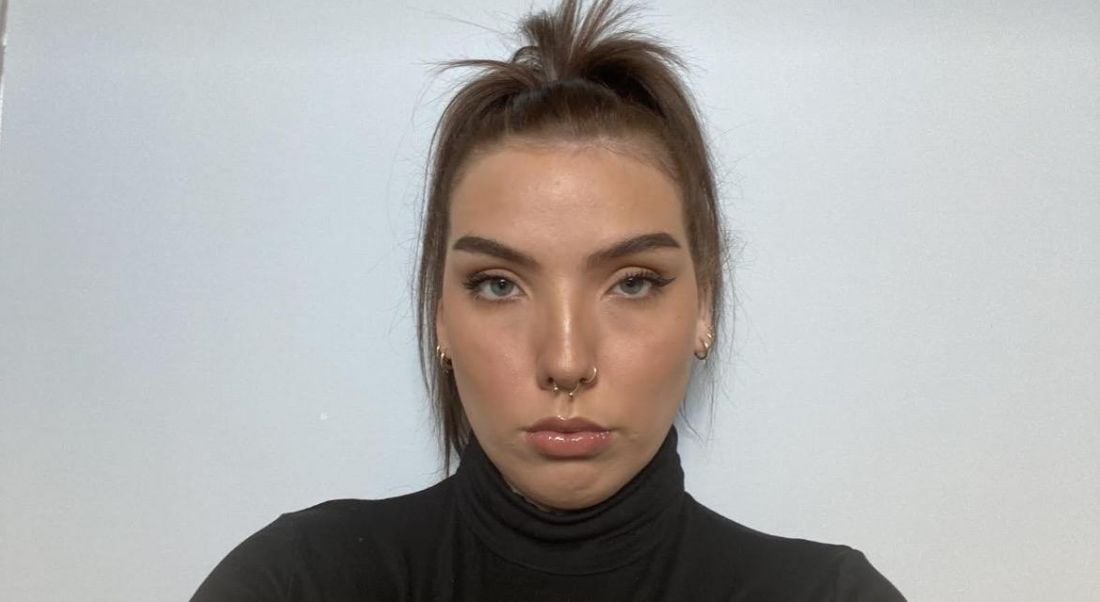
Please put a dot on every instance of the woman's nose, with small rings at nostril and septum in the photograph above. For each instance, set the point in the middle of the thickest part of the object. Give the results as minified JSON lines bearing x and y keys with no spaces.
{"x":566,"y":347}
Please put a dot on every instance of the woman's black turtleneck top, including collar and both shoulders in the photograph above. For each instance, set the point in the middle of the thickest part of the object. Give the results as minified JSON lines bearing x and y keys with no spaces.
{"x":471,"y":539}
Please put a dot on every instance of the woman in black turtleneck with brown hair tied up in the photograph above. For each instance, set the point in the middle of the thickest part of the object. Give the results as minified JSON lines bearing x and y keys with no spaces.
{"x":570,"y":287}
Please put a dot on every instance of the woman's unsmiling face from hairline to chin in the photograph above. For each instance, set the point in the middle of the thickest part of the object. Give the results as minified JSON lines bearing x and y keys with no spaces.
{"x":567,"y":260}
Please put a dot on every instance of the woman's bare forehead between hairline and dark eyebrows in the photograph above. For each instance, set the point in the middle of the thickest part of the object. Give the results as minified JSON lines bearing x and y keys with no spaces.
{"x":566,"y":192}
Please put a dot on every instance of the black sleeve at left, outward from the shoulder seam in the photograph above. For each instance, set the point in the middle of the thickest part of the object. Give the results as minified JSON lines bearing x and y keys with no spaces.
{"x":260,"y":570}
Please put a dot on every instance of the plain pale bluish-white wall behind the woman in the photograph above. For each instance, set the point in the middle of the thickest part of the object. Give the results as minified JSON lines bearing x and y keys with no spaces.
{"x":208,"y":216}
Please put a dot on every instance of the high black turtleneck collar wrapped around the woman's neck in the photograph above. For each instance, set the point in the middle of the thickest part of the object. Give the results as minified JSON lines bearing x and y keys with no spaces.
{"x":599,"y":539}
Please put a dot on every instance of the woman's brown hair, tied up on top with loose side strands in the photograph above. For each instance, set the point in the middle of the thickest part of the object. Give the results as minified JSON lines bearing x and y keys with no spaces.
{"x":580,"y":76}
